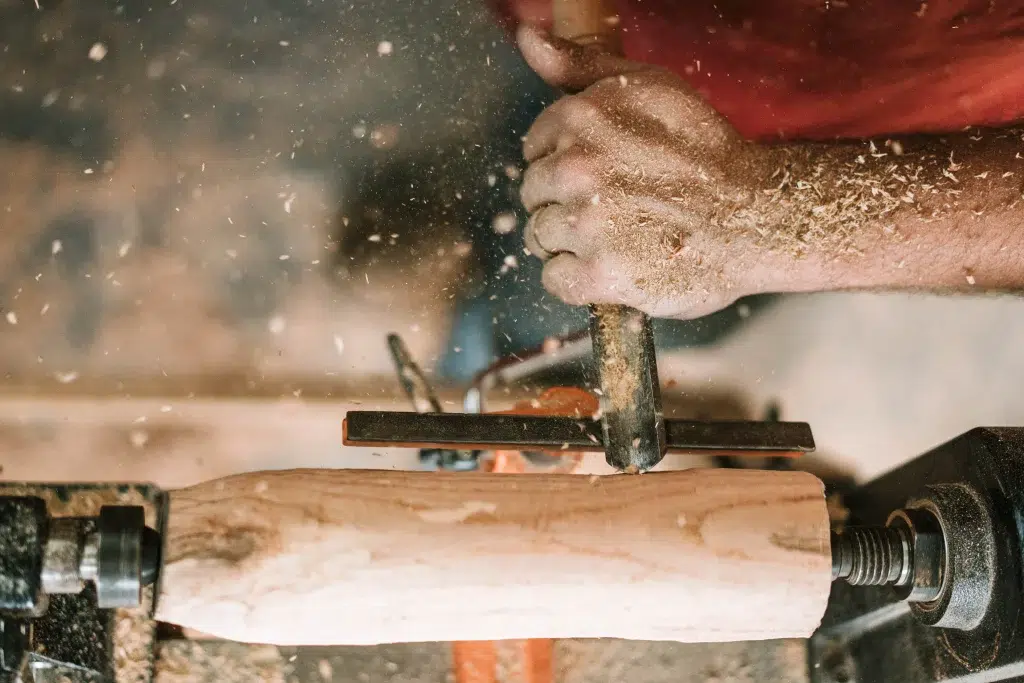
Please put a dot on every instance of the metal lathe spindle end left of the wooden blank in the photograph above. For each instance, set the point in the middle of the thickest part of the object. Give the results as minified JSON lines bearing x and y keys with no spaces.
{"x":79,"y":567}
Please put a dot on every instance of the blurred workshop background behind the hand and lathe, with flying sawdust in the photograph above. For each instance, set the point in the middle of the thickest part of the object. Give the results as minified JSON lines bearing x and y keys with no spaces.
{"x":225,"y":205}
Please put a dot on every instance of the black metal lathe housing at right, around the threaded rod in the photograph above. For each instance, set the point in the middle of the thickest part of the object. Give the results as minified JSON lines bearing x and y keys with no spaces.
{"x":869,"y":635}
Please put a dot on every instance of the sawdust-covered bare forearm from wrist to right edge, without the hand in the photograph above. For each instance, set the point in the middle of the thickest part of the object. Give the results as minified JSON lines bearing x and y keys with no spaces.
{"x":930,"y":214}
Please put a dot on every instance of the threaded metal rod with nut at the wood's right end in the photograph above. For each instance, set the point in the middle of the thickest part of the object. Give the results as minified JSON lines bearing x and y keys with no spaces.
{"x":872,"y":557}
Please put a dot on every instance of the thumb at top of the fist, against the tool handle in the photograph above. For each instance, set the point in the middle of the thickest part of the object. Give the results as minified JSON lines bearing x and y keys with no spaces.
{"x":567,"y":66}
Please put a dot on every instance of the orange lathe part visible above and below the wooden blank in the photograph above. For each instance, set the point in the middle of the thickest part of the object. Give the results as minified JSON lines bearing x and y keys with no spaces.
{"x":529,"y":661}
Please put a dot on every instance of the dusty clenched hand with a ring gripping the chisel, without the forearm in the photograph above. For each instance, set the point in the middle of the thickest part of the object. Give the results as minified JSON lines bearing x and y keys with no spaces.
{"x":634,"y":186}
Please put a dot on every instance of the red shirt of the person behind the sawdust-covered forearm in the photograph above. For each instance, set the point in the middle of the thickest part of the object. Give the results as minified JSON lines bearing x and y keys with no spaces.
{"x":822,"y":69}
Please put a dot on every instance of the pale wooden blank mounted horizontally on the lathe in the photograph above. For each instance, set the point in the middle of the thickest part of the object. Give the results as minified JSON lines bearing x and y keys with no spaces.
{"x":332,"y":558}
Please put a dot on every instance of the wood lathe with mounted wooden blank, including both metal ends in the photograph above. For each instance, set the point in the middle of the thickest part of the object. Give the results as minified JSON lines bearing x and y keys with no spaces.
{"x":929,"y":556}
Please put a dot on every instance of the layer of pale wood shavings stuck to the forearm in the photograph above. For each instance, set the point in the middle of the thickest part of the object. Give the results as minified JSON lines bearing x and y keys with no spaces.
{"x":834,"y":199}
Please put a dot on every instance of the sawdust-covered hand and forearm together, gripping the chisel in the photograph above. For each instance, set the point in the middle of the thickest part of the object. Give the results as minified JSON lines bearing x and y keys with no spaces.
{"x":642,"y":194}
